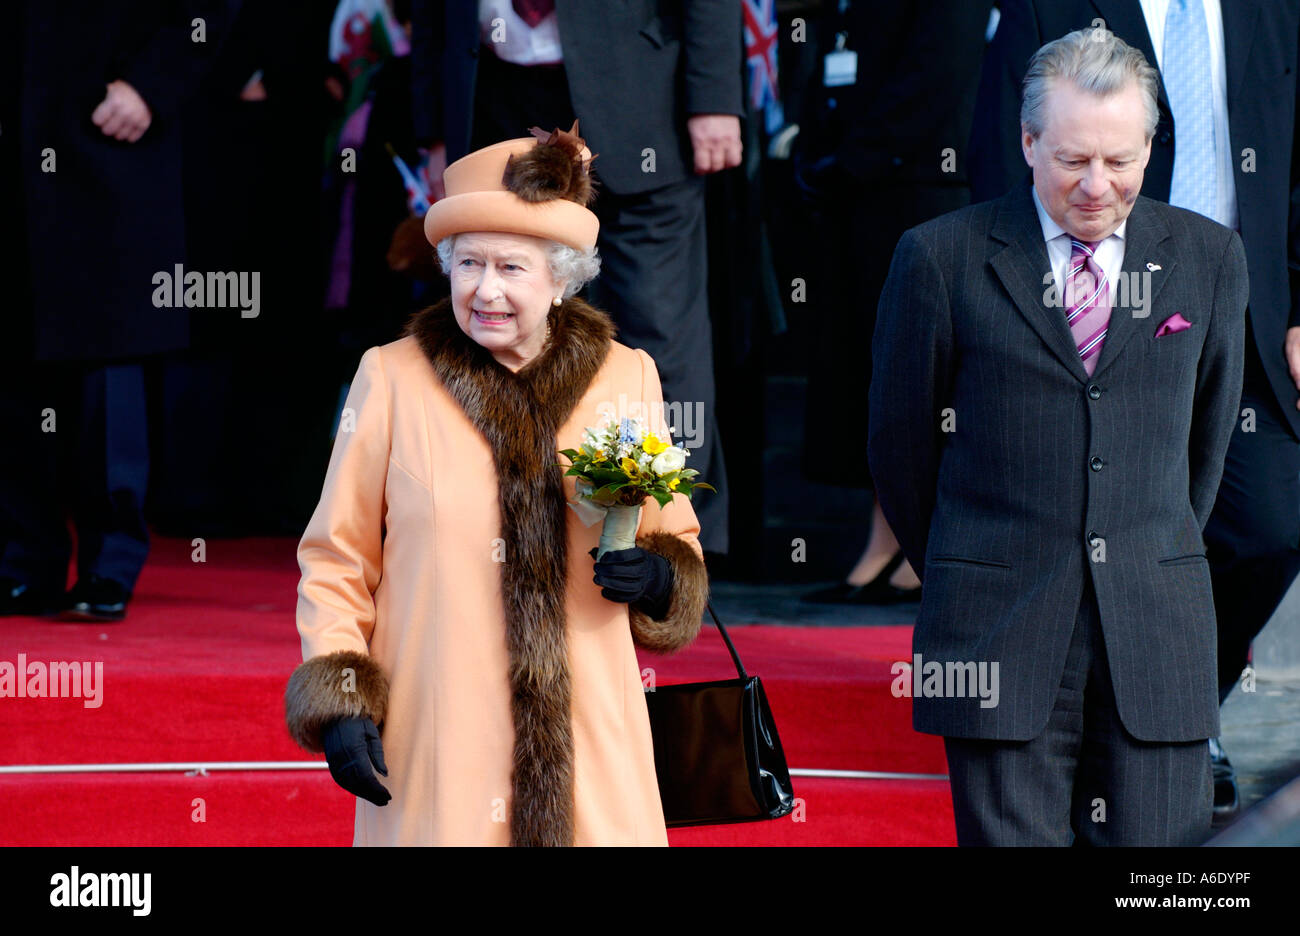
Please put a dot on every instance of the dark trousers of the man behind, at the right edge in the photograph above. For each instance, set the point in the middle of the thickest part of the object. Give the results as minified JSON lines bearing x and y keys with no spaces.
{"x":1254,"y":532}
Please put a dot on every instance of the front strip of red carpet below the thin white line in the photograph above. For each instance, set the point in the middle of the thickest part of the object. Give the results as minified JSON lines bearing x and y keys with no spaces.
{"x":306,"y":808}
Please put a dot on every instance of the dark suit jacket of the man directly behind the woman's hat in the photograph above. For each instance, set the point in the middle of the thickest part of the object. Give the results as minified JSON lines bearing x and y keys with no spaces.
{"x":636,"y":71}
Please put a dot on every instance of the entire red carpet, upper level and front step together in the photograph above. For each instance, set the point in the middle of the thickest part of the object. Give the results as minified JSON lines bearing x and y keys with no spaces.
{"x":197,"y":673}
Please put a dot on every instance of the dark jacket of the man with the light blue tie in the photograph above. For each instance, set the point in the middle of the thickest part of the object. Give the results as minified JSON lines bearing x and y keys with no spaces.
{"x":1260,"y":46}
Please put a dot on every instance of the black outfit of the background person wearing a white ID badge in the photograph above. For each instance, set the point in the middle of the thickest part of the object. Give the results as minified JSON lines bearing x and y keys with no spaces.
{"x":882,"y":171}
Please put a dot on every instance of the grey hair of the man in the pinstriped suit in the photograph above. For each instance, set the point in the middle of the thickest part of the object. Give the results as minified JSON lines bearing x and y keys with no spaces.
{"x":1094,"y":60}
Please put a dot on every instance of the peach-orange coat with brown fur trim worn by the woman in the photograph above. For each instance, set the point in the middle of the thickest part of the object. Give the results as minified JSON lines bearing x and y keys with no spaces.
{"x":501,"y":723}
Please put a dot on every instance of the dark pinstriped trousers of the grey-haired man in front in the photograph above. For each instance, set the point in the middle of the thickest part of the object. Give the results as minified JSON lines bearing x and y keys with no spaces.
{"x":1085,"y":779}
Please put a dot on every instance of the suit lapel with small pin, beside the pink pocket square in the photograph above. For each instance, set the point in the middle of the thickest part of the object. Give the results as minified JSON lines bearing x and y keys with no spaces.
{"x":1149,"y":263}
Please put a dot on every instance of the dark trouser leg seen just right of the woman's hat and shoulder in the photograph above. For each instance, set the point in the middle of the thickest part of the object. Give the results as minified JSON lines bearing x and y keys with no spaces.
{"x":655,"y":283}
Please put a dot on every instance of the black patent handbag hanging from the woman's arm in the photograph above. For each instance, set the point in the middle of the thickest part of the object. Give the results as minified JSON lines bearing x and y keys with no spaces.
{"x":717,"y":752}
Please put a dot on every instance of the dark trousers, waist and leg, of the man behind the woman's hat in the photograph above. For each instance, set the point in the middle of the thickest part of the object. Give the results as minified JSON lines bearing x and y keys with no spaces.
{"x":655,"y":272}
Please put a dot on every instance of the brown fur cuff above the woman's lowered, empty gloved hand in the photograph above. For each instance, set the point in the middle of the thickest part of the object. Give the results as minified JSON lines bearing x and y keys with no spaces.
{"x":320,"y":692}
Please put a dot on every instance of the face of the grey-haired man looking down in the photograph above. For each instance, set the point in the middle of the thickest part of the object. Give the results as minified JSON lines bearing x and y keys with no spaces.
{"x":1090,"y":159}
